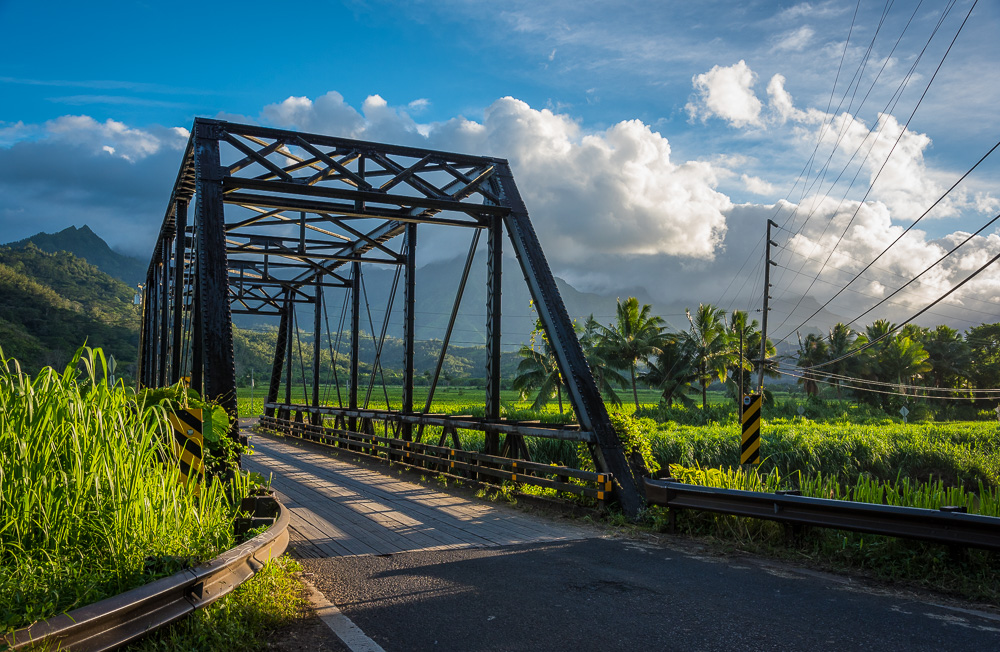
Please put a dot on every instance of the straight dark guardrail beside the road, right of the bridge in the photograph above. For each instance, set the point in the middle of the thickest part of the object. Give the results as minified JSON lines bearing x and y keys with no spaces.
{"x":947,"y":525}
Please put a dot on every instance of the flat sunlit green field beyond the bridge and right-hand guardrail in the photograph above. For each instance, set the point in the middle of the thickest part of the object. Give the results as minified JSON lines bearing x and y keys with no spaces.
{"x":857,"y":443}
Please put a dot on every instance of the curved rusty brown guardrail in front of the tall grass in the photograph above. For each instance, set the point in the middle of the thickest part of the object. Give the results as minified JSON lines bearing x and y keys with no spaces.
{"x":123,"y":618}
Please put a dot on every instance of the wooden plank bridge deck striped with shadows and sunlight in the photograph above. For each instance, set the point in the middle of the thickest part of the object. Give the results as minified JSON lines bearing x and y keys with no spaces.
{"x":340,"y":509}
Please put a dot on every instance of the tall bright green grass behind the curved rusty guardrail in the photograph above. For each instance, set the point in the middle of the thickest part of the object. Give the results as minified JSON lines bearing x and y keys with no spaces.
{"x":89,"y":494}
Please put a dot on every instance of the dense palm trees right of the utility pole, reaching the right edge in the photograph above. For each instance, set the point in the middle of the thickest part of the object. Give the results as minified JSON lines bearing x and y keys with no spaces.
{"x":881,"y":360}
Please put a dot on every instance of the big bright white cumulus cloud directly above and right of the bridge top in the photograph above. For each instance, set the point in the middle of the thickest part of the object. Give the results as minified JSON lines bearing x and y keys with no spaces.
{"x":611,"y":191}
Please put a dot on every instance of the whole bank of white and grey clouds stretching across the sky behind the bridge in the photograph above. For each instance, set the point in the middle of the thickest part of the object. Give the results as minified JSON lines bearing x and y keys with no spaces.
{"x":615,"y":209}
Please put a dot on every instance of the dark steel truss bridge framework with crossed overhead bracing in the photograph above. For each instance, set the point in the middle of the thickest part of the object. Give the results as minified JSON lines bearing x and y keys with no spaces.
{"x":283,"y":220}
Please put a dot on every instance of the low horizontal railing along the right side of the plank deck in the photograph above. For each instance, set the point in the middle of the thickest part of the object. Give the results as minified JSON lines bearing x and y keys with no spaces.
{"x":449,"y":461}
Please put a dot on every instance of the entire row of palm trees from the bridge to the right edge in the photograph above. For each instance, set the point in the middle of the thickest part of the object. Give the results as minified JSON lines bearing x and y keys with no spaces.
{"x":872,"y":365}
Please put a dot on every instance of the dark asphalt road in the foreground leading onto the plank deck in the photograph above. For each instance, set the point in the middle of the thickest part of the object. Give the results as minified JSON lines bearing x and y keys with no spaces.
{"x":618,"y":594}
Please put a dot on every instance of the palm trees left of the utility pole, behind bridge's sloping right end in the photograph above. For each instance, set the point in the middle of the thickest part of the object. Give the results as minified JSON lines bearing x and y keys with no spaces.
{"x":638,"y":348}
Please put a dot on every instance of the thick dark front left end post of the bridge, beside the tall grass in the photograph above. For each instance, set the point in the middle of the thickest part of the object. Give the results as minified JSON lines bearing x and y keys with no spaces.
{"x":213,"y":273}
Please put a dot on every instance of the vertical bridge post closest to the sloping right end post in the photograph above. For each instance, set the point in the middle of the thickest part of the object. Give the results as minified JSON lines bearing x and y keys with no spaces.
{"x":494,"y":262}
